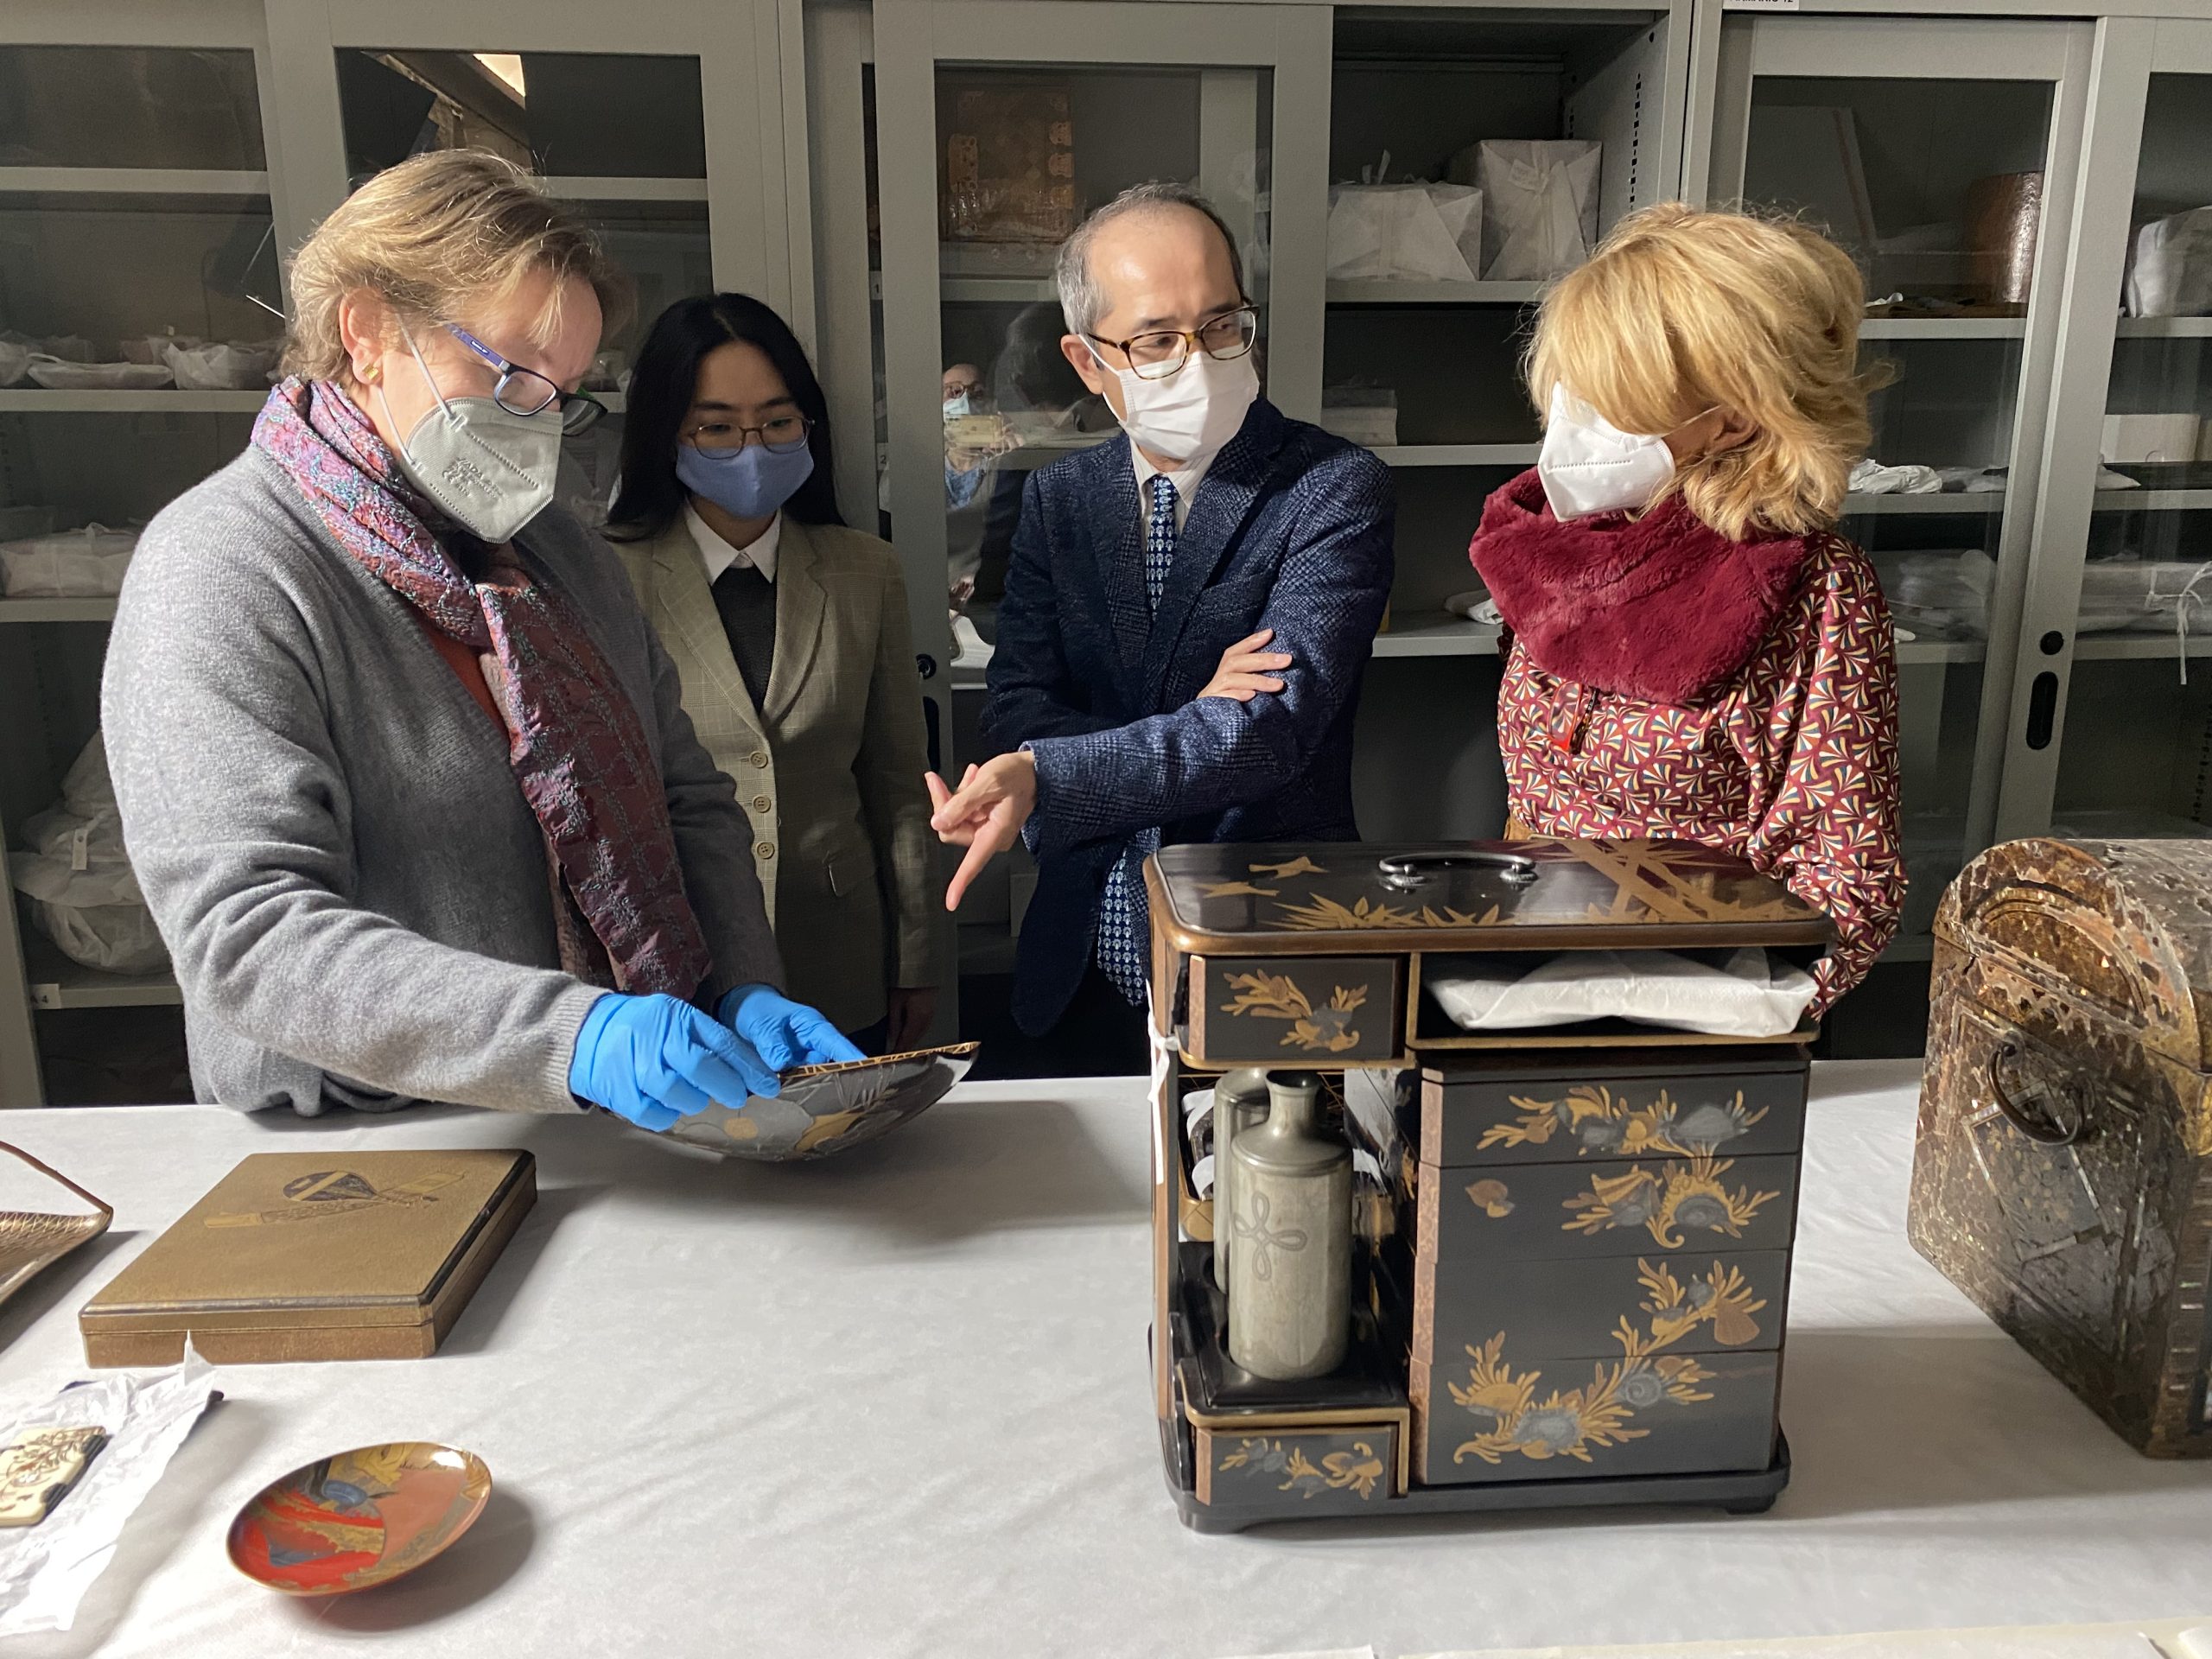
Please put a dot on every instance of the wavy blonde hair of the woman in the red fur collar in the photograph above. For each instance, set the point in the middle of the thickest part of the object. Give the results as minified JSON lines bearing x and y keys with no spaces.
{"x":1684,"y":311}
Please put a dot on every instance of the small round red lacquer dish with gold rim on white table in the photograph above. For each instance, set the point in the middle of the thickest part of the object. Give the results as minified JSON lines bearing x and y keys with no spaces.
{"x":359,"y":1519}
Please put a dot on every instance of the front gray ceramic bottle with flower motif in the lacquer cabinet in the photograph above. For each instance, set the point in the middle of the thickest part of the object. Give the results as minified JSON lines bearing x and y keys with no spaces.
{"x":1291,"y":1220}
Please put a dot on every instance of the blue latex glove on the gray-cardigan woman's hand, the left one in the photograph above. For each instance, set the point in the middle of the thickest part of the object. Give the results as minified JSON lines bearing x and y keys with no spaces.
{"x":658,"y":1061}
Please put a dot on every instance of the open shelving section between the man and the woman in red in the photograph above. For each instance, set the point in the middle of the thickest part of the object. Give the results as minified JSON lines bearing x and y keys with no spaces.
{"x":1474,"y":156}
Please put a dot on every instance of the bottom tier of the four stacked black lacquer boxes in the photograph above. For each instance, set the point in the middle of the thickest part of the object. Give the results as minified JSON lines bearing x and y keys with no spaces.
{"x":1488,"y":1419}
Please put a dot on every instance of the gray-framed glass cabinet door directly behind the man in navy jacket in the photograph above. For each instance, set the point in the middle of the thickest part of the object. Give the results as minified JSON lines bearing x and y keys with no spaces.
{"x":997,"y":132}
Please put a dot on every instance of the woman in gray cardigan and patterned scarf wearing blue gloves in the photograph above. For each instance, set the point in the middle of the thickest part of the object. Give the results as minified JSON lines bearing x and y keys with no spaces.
{"x":401,"y":764}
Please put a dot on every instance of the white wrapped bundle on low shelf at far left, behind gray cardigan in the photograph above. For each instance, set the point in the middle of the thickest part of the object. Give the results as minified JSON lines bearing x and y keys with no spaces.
{"x":79,"y":877}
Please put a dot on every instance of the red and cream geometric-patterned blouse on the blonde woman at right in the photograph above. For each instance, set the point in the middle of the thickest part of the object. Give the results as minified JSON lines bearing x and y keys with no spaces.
{"x":1791,"y":766}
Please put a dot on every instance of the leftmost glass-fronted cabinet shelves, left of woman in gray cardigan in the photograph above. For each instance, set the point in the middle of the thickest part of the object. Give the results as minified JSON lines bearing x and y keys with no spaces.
{"x":138,"y":331}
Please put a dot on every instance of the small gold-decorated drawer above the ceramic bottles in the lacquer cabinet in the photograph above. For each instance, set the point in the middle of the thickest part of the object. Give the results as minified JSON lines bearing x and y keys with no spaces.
{"x":1295,"y":1010}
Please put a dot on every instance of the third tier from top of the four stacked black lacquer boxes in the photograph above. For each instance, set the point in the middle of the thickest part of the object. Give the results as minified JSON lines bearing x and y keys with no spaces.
{"x":1684,"y":1304}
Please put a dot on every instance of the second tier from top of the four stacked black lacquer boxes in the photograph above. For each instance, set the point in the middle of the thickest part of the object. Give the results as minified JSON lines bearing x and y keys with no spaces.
{"x":1625,"y":1209}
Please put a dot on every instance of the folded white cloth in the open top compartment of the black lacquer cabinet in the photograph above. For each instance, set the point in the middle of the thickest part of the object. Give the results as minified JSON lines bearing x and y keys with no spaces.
{"x":1749,"y":997}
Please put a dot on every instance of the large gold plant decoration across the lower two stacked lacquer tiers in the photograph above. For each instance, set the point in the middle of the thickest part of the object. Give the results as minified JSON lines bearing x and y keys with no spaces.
{"x":1572,"y":1423}
